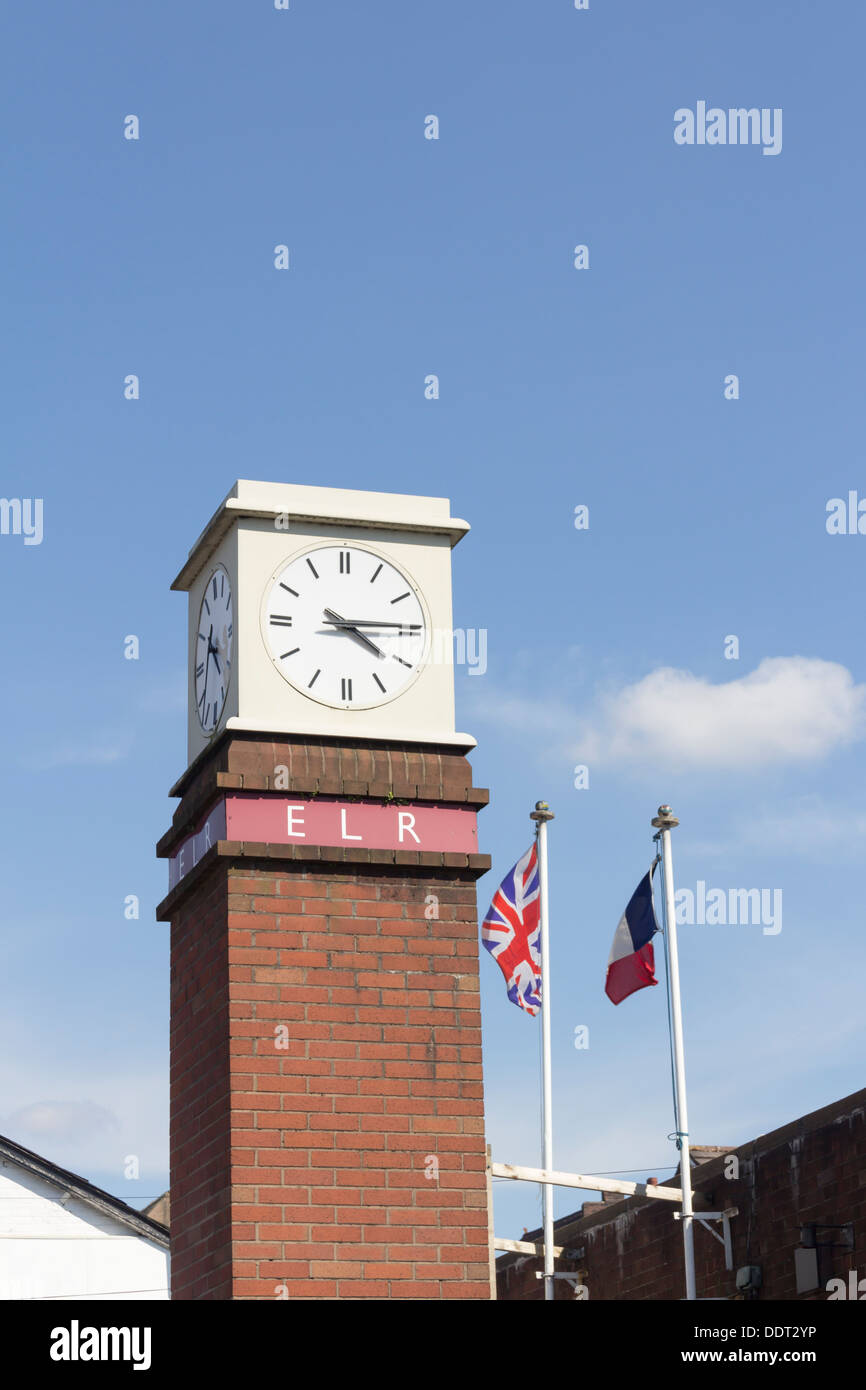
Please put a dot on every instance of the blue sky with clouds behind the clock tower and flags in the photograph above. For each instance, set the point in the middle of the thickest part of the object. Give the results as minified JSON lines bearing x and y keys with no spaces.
{"x":603,"y":387}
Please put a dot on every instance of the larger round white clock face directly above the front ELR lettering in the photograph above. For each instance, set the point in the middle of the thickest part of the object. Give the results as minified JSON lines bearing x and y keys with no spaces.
{"x":345,"y":626}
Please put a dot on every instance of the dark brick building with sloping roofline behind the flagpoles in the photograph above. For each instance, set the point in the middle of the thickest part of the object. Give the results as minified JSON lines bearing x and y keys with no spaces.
{"x":814,"y":1171}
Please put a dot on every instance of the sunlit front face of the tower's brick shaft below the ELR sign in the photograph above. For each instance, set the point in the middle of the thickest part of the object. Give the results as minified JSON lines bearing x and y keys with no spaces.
{"x":380,"y":1081}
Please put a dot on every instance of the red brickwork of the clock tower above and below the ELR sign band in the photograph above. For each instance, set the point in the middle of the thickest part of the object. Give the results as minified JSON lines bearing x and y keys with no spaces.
{"x":351,"y":1161}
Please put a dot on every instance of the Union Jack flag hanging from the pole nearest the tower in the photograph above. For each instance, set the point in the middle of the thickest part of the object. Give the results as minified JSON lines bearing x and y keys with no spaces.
{"x":512,"y":932}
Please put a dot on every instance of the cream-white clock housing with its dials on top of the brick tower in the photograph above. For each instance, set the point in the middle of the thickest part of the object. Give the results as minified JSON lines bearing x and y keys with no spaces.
{"x":352,"y":586}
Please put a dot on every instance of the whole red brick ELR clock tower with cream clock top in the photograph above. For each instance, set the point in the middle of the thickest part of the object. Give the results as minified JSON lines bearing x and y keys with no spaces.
{"x":327,"y":1120}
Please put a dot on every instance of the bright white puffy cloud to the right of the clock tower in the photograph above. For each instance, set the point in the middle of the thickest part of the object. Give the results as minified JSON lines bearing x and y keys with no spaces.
{"x":792,"y":708}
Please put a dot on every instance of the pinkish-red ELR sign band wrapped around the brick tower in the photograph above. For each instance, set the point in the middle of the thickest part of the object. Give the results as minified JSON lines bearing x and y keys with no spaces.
{"x":293,"y":821}
